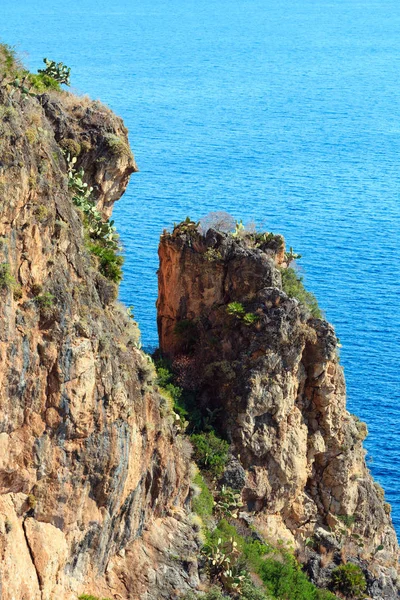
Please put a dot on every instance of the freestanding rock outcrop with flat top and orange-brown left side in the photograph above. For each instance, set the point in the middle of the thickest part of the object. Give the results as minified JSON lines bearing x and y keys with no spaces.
{"x":276,"y":379}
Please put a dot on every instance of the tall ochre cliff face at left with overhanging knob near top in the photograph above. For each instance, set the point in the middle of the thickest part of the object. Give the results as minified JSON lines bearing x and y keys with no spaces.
{"x":92,"y":476}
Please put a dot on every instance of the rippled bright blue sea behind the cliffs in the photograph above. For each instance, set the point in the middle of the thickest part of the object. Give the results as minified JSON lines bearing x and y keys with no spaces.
{"x":287,"y":113}
